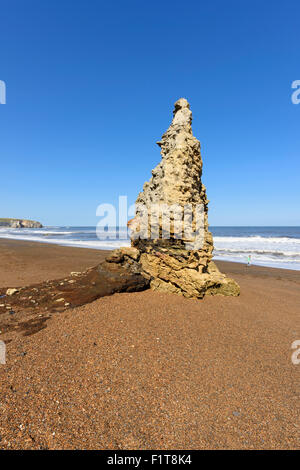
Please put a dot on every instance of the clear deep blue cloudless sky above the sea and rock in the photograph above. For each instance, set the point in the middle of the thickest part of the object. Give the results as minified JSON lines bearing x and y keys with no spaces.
{"x":91,"y":87}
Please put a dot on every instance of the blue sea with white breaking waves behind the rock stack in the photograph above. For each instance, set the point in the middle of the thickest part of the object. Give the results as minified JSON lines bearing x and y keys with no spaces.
{"x":277,"y":247}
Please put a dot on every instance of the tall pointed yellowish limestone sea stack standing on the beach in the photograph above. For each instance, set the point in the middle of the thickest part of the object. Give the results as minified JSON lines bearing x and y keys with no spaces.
{"x":171,"y":244}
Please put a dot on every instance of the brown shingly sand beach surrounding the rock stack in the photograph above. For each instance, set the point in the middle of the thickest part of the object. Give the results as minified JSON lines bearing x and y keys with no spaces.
{"x":149,"y":370}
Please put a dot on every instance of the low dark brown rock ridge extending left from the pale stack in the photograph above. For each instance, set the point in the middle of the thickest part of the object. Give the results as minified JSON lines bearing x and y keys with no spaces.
{"x":27,"y":309}
